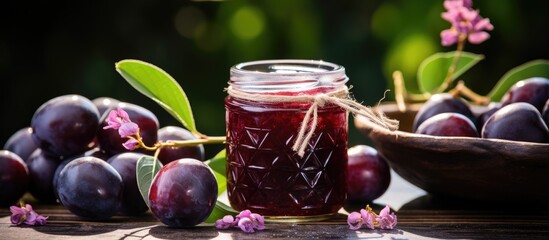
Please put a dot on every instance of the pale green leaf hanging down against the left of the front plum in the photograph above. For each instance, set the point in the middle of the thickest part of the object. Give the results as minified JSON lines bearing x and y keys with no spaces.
{"x":147,"y":167}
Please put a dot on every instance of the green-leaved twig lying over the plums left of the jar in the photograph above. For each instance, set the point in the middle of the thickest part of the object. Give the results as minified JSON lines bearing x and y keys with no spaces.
{"x":159,"y":86}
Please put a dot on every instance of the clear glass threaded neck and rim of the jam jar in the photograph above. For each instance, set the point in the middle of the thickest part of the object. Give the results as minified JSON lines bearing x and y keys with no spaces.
{"x":287,"y":77}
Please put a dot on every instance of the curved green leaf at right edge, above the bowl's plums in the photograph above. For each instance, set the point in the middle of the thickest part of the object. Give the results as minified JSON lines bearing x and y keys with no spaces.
{"x":534,"y":68}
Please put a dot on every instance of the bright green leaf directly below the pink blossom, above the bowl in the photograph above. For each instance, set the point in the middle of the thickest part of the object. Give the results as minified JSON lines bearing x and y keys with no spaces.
{"x":433,"y":70}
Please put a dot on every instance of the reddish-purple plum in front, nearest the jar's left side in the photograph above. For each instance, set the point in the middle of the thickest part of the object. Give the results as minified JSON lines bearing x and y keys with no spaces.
{"x":183,"y":193}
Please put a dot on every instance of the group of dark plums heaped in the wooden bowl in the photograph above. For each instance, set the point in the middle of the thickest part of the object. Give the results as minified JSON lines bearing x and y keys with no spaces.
{"x":521,"y":115}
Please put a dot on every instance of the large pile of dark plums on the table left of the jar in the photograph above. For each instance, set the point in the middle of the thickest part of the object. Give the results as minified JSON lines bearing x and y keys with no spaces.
{"x":66,"y":155}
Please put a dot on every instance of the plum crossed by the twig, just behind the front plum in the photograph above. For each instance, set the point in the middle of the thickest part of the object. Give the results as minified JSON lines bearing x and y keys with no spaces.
{"x":169,"y":154}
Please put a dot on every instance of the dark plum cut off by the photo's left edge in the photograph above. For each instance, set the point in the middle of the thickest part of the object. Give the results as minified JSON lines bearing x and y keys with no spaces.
{"x":14,"y":178}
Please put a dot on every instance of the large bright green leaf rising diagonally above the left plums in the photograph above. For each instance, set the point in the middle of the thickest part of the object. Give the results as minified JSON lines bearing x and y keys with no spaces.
{"x":159,"y":86}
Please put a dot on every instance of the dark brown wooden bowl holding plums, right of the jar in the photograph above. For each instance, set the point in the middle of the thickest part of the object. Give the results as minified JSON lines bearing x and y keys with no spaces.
{"x":488,"y":170}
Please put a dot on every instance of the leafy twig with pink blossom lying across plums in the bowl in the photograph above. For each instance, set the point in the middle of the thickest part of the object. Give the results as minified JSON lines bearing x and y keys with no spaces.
{"x":438,"y":73}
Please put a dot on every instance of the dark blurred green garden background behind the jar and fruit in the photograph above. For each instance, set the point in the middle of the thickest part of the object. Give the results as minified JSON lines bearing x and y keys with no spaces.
{"x":52,"y":48}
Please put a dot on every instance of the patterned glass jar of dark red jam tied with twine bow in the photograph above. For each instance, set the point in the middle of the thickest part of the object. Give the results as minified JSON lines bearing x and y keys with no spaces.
{"x":269,"y":104}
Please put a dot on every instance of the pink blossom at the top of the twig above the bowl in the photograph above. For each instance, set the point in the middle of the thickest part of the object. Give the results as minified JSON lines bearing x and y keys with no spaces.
{"x":466,"y":23}
